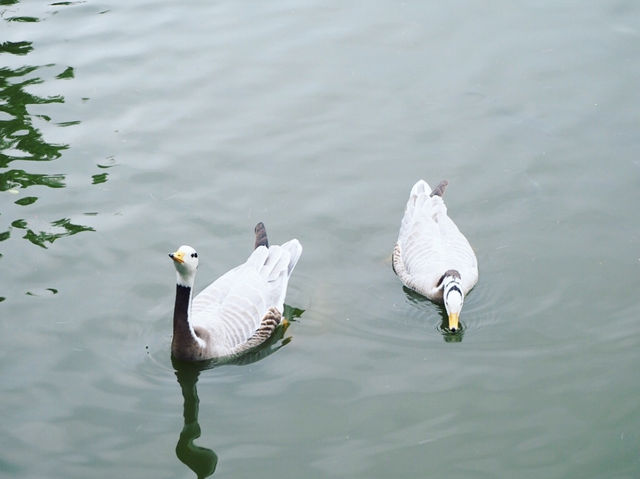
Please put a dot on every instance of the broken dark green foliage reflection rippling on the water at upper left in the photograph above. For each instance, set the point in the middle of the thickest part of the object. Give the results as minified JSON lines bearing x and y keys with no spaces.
{"x":24,"y":147}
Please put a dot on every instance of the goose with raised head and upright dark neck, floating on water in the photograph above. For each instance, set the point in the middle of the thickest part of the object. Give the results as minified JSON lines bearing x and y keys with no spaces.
{"x":238,"y":311}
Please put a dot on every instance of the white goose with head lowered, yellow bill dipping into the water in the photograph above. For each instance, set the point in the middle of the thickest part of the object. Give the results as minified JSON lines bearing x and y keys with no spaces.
{"x":432,"y":257}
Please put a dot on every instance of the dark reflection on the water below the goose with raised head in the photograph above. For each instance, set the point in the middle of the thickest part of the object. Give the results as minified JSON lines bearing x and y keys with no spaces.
{"x":201,"y":460}
